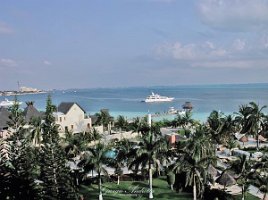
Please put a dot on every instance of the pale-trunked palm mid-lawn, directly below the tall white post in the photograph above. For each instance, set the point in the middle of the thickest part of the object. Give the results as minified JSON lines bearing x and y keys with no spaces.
{"x":151,"y":152}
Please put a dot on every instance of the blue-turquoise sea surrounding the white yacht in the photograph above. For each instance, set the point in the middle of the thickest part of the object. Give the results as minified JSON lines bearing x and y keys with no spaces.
{"x":128,"y":101}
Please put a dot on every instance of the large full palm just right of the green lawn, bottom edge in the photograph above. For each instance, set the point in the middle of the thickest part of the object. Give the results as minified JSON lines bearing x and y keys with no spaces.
{"x":194,"y":157}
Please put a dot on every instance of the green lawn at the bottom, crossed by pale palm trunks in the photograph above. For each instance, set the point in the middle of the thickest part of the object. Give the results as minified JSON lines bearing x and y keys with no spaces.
{"x":129,"y":190}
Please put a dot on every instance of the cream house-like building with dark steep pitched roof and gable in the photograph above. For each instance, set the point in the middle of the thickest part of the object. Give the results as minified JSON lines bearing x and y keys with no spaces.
{"x":72,"y":117}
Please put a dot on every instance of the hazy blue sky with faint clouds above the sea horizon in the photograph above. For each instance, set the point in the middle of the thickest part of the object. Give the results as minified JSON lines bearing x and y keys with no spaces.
{"x":60,"y":44}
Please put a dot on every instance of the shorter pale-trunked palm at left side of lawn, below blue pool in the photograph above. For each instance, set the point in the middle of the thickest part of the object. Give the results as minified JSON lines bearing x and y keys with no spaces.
{"x":95,"y":158}
